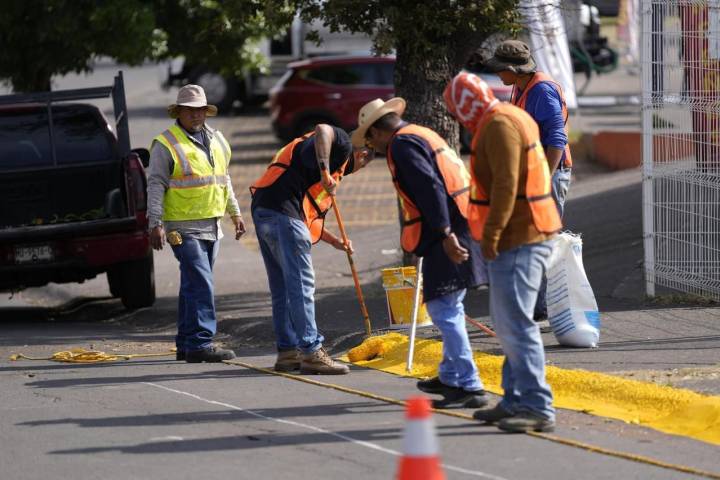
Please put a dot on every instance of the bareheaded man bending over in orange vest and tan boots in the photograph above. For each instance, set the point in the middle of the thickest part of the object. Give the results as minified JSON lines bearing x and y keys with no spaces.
{"x":289,"y":203}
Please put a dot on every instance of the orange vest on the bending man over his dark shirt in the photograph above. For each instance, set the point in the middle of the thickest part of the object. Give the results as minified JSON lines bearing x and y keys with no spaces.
{"x":316,"y":201}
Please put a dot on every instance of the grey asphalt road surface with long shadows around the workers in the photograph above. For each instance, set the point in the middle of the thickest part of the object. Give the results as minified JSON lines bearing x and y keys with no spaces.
{"x":157,"y":418}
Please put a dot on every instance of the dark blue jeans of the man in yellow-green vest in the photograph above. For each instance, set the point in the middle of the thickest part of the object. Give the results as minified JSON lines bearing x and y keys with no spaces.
{"x":196,"y":321}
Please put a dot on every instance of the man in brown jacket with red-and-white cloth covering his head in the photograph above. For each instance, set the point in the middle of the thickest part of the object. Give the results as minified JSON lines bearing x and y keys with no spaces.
{"x":514,"y":217}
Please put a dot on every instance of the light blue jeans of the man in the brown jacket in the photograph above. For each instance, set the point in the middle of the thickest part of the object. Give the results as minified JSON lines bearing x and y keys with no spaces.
{"x":514,"y":281}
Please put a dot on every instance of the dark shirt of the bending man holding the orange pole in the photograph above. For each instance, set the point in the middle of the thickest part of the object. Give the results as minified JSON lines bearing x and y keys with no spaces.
{"x":286,"y":194}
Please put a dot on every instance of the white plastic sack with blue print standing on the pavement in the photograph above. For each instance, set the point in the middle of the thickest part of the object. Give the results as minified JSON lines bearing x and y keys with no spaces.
{"x":572,"y":309}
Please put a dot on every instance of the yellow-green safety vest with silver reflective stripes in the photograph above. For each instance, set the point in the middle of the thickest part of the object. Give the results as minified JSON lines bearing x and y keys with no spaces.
{"x":197,"y":189}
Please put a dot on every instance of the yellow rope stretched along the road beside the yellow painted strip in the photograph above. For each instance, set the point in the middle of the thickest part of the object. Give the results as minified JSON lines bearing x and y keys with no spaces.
{"x":545,"y":436}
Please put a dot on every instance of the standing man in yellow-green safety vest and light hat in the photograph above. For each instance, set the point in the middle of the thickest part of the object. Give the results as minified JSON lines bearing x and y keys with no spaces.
{"x":189,"y":191}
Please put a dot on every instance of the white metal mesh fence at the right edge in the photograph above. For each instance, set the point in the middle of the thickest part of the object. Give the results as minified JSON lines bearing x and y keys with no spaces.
{"x":680,"y":50}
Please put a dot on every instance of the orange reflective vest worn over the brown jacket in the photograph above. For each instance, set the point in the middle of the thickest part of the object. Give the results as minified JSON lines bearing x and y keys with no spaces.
{"x":537,"y":187}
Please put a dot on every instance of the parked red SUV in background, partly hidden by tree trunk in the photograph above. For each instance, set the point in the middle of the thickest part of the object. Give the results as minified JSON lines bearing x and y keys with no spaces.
{"x":333,"y":89}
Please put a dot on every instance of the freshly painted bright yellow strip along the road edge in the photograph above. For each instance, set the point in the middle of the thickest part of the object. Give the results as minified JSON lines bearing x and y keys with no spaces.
{"x":670,"y":410}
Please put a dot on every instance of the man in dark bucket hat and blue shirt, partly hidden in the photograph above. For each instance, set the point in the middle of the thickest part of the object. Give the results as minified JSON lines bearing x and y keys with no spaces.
{"x":543,"y":98}
